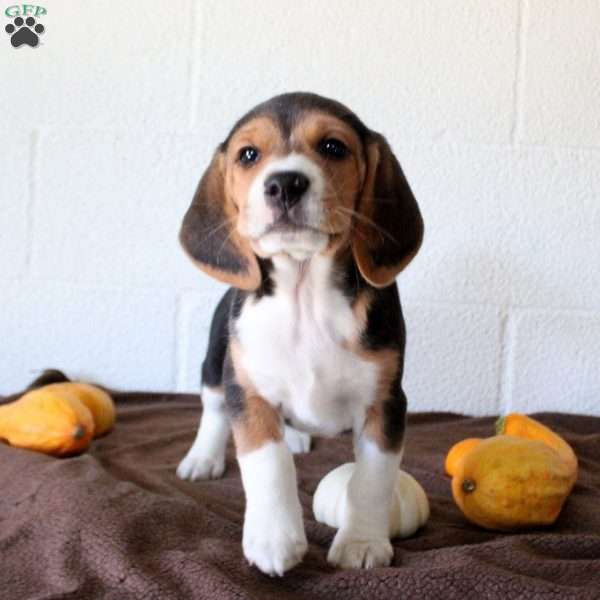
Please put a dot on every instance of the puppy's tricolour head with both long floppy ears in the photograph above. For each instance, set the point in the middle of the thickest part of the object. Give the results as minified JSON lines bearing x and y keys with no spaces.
{"x":298,"y":175}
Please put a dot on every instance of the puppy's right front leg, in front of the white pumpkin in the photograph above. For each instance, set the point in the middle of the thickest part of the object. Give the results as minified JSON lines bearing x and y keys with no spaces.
{"x":363,"y":537}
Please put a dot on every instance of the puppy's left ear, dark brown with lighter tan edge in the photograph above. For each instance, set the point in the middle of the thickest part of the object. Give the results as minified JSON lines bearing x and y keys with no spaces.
{"x":209,"y":235}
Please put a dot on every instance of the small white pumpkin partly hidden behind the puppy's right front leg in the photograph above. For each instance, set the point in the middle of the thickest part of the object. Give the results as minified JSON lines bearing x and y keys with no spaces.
{"x":409,"y":509}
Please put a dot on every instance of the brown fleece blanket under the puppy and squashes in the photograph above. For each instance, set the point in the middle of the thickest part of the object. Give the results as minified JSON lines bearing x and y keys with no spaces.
{"x":117,"y":523}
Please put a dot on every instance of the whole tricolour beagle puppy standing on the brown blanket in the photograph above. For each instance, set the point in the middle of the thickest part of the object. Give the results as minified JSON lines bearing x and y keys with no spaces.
{"x":307,"y":215}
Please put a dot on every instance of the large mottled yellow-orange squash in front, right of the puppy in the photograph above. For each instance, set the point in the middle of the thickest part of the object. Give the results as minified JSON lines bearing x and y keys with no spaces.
{"x":507,"y":482}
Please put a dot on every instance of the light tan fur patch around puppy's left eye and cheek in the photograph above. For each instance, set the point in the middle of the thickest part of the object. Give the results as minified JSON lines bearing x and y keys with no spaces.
{"x":264,"y":135}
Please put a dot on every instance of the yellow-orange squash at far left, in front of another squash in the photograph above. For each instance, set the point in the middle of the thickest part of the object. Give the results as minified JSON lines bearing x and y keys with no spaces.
{"x":46,"y":420}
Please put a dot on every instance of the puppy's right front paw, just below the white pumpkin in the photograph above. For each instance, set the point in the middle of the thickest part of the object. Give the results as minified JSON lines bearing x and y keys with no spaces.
{"x":353,"y":552}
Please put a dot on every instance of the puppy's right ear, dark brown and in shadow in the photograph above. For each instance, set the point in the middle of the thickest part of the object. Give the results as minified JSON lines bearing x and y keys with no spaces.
{"x":388,"y":230}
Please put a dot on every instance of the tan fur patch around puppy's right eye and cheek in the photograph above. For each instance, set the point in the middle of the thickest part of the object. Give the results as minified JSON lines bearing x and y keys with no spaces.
{"x":343,"y":178}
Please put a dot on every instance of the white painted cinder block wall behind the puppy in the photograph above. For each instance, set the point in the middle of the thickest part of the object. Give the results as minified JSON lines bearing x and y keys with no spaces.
{"x":492,"y":107}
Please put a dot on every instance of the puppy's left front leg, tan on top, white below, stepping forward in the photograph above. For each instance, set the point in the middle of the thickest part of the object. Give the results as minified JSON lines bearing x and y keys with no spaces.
{"x":274,"y":538}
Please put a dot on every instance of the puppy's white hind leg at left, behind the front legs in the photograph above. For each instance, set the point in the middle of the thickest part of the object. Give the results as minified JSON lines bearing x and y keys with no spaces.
{"x":206,"y":458}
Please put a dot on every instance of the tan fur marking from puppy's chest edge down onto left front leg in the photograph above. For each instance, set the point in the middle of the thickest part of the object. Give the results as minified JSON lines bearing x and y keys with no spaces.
{"x":259,"y":421}
